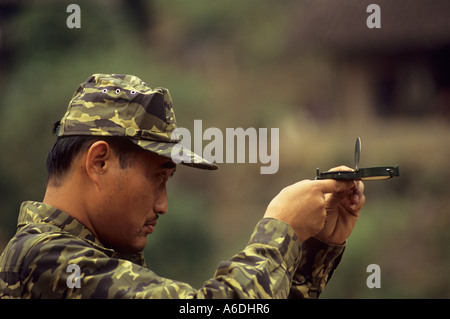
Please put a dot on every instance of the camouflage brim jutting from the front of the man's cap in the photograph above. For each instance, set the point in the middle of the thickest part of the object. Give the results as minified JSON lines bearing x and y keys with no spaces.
{"x":177,"y":153}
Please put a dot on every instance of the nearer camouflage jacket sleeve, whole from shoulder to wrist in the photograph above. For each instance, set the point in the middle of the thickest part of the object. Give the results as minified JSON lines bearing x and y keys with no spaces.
{"x":264,"y":269}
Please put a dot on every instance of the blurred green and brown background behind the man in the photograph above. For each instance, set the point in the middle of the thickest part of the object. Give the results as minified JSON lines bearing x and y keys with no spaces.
{"x":311,"y":68}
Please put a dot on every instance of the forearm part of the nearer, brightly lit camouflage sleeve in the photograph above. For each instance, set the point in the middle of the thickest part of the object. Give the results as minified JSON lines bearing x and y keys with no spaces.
{"x":264,"y":269}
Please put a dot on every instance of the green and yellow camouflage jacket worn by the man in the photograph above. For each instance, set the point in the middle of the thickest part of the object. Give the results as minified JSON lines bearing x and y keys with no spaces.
{"x":35,"y":264}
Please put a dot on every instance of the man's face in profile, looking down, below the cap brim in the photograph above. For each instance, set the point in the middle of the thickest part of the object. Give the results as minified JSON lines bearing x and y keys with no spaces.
{"x":132,"y":200}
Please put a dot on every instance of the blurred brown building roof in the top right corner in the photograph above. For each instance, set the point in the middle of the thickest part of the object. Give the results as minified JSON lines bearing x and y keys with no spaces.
{"x":340,"y":25}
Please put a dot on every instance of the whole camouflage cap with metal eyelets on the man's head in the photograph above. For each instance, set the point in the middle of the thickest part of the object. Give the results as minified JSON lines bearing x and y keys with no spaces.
{"x":124,"y":105}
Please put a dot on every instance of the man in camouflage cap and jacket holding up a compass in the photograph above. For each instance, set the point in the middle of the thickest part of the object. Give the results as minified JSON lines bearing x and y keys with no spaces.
{"x":107,"y":175}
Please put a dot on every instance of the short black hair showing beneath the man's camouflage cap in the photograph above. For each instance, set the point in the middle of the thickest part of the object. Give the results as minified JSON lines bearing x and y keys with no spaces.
{"x":67,"y":148}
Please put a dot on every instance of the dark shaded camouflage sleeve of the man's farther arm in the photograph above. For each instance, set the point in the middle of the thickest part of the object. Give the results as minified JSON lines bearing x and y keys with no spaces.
{"x":319,"y":261}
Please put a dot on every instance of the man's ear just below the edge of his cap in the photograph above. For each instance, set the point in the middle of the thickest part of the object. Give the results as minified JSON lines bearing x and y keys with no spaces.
{"x":98,"y":160}
